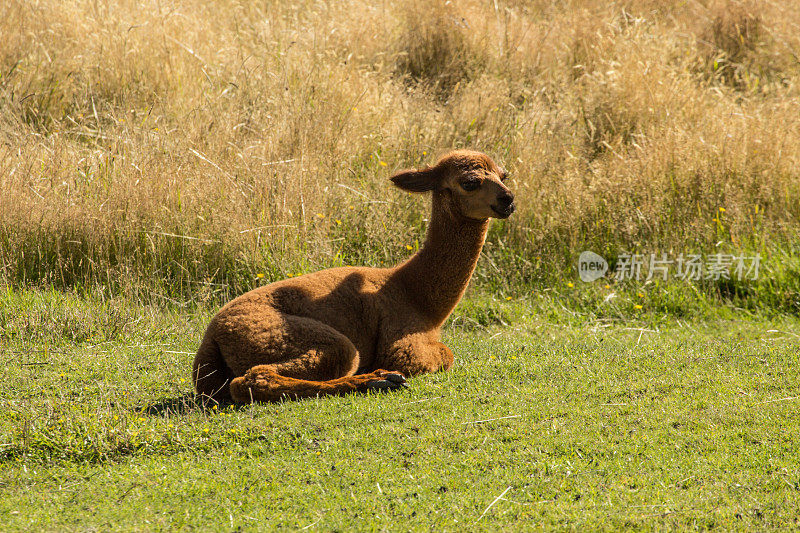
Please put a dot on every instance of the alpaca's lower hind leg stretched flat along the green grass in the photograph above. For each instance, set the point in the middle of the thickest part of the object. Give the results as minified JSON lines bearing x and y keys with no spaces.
{"x":264,"y":384}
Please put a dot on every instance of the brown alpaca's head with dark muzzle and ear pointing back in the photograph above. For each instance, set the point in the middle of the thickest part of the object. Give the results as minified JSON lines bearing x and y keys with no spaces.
{"x":471,"y":183}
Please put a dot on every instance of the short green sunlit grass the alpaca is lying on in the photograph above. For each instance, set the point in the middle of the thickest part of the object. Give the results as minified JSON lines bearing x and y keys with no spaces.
{"x":652,"y":424}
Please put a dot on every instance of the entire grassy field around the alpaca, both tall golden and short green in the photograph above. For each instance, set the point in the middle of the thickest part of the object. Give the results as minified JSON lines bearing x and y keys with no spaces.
{"x":159,"y":157}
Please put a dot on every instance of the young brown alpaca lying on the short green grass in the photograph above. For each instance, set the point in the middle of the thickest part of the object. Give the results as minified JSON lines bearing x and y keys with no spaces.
{"x":335,"y":331}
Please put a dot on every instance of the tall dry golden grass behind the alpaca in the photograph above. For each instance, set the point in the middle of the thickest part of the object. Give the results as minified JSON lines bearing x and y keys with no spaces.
{"x":190,"y":145}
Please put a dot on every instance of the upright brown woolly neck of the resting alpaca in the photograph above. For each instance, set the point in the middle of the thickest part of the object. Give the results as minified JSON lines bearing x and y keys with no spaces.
{"x":437,"y":276}
